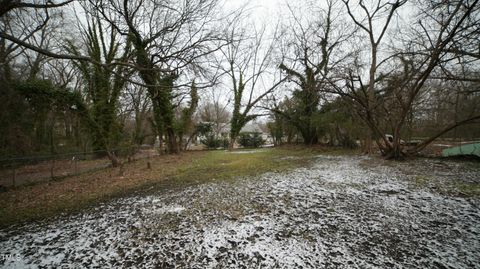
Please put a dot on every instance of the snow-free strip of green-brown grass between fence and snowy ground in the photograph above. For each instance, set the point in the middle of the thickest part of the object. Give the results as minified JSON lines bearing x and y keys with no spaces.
{"x":74,"y":193}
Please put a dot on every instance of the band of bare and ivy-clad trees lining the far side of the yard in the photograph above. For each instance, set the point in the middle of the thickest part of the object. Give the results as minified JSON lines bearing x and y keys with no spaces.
{"x":109,"y":74}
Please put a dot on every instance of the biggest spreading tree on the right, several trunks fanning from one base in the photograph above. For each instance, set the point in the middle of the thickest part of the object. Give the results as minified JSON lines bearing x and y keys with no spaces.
{"x":393,"y":92}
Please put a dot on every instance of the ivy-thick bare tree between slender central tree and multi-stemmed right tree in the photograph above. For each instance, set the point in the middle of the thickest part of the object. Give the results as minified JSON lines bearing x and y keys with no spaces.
{"x":311,"y":51}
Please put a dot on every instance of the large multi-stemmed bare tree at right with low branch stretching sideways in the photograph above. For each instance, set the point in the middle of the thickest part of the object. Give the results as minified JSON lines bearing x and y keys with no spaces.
{"x":396,"y":78}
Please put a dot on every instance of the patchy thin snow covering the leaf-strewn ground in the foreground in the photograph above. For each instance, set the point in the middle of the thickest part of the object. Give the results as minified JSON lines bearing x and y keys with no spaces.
{"x":342,"y":211}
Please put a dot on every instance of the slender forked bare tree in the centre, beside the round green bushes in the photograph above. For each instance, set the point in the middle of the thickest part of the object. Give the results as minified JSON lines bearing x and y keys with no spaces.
{"x":247,"y":63}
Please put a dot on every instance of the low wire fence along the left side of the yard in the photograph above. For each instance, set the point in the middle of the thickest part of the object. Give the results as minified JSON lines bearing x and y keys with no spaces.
{"x":24,"y":170}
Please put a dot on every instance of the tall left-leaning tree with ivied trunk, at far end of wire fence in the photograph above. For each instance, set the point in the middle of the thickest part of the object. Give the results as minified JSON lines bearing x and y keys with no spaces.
{"x":178,"y":37}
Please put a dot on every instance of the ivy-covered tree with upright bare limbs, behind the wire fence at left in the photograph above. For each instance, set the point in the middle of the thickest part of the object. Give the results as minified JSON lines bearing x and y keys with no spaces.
{"x":104,"y":85}
